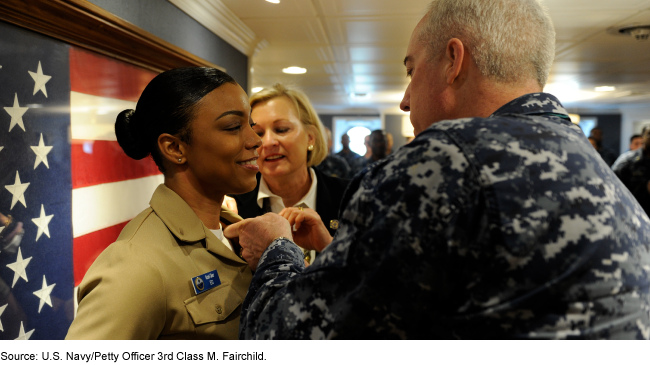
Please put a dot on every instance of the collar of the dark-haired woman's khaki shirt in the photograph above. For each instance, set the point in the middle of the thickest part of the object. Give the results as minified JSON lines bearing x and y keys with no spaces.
{"x":183,"y":223}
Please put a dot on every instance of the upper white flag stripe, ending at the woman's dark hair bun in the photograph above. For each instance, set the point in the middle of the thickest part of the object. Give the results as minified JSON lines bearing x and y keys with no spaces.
{"x":93,"y":117}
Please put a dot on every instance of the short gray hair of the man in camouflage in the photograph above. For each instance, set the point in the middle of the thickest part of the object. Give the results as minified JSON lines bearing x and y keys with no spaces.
{"x":509,"y":40}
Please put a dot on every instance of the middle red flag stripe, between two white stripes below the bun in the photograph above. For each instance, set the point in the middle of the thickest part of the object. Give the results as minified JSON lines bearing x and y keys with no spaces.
{"x":101,"y":162}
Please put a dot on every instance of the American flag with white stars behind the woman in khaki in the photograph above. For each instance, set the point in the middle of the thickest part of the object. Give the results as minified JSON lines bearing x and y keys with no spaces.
{"x":62,"y":175}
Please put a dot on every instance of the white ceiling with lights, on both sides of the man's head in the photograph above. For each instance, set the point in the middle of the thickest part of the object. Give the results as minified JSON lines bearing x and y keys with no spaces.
{"x":358,"y":46}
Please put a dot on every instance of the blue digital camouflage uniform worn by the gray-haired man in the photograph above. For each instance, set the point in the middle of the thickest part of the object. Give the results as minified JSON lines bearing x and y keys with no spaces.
{"x":510,"y":226}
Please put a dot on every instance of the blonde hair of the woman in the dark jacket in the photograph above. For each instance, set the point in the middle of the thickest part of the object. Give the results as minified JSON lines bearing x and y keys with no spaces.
{"x":306,"y":114}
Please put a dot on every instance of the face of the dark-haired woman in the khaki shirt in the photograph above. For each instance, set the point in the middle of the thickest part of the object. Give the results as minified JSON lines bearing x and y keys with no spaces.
{"x":222,"y":154}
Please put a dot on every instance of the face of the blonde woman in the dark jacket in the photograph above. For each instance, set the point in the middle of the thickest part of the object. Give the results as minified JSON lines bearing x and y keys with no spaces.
{"x":284,"y":138}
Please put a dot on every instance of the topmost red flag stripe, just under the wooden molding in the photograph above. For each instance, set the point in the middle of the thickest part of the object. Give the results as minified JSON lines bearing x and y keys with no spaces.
{"x":94,"y":74}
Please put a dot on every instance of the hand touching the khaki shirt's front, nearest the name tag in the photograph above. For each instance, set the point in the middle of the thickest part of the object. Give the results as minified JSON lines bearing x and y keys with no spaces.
{"x":256,"y":234}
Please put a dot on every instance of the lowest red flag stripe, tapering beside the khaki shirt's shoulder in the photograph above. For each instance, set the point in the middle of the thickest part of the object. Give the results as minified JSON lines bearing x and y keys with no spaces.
{"x":86,"y":248}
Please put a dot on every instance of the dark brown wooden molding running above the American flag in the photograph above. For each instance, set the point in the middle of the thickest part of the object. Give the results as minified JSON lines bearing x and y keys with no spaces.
{"x":84,"y":24}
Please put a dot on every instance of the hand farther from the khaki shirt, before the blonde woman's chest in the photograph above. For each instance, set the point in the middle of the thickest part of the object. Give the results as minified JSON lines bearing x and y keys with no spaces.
{"x":310,"y":232}
